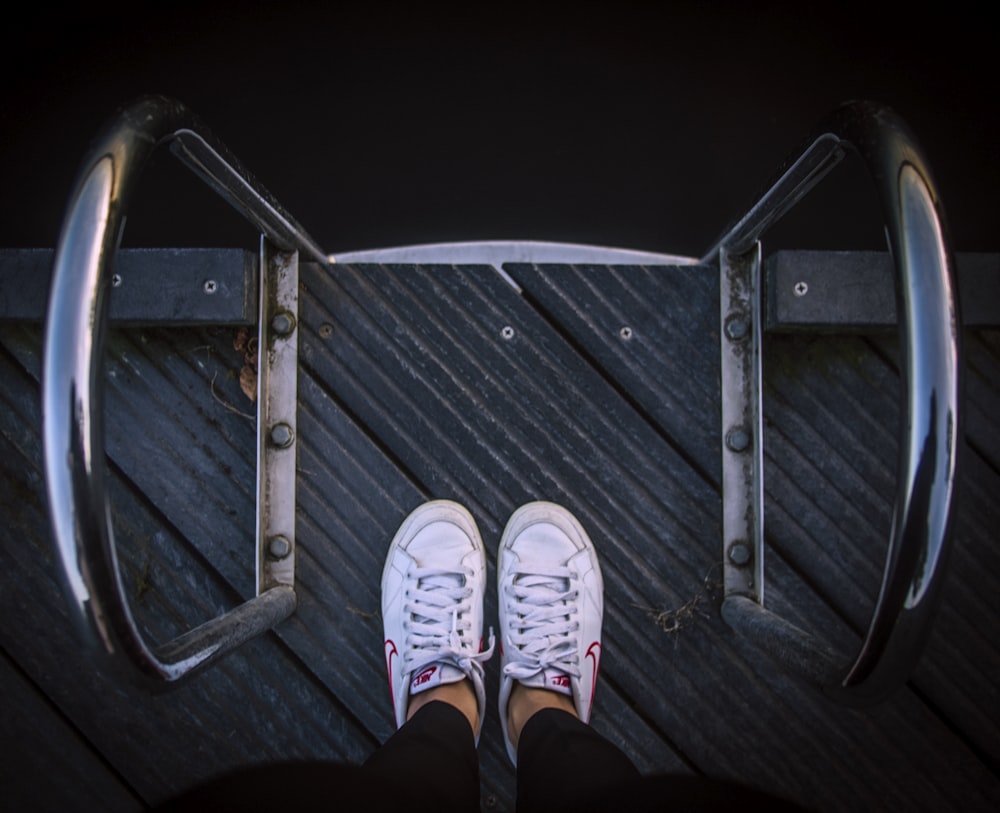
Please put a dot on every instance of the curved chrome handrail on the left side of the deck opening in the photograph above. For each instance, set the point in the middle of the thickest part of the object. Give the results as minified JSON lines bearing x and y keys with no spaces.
{"x":72,"y":380}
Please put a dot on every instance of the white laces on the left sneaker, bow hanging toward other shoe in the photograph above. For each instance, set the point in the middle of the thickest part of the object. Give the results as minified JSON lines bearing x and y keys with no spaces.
{"x":439,"y":613}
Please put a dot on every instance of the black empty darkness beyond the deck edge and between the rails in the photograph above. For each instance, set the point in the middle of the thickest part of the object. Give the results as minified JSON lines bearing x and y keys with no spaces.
{"x":647,"y":126}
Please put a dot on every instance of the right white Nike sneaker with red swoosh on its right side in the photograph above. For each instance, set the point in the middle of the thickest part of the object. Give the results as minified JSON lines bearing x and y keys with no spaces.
{"x":551,"y":598}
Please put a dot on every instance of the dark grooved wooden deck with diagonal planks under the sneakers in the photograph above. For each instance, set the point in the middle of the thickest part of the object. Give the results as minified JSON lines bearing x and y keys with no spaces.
{"x":409,"y":390}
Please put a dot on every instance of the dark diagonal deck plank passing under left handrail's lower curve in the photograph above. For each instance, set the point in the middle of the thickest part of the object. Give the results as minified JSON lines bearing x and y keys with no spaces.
{"x":257,"y":705}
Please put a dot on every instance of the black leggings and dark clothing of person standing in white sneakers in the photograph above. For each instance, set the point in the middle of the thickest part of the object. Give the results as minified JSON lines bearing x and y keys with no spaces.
{"x":430,"y":763}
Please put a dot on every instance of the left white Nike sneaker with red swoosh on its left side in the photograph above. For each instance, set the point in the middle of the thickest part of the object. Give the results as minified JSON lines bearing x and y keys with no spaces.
{"x":432,"y":604}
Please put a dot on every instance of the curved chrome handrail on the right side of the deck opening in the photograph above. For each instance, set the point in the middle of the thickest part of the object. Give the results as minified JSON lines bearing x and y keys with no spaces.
{"x":930,"y":430}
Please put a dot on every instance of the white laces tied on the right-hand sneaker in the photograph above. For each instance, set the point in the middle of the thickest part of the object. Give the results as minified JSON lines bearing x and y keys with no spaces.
{"x":539,"y":611}
